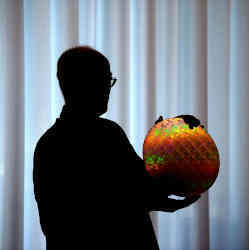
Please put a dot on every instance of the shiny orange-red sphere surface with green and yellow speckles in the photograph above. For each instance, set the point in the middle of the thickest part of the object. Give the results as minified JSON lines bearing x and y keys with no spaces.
{"x":172,"y":149}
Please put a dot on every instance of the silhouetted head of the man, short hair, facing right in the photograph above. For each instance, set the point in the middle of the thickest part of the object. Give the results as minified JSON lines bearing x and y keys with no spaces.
{"x":84,"y":77}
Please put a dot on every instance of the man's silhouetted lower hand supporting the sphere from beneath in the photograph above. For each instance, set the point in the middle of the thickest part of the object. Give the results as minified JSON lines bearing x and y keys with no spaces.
{"x":172,"y":205}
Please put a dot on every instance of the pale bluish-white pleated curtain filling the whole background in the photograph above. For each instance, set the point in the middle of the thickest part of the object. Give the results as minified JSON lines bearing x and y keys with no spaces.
{"x":170,"y":57}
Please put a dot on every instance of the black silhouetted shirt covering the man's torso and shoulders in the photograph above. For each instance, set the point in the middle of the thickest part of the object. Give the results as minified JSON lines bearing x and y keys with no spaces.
{"x":91,"y":187}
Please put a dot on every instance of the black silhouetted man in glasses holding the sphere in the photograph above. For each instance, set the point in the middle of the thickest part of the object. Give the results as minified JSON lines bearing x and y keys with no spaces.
{"x":91,"y":187}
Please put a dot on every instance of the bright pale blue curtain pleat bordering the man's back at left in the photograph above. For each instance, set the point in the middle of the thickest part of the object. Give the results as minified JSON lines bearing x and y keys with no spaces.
{"x":37,"y":99}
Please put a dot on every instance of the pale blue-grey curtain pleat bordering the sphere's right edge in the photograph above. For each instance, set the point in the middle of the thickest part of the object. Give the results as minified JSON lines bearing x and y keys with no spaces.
{"x":218,"y":118}
